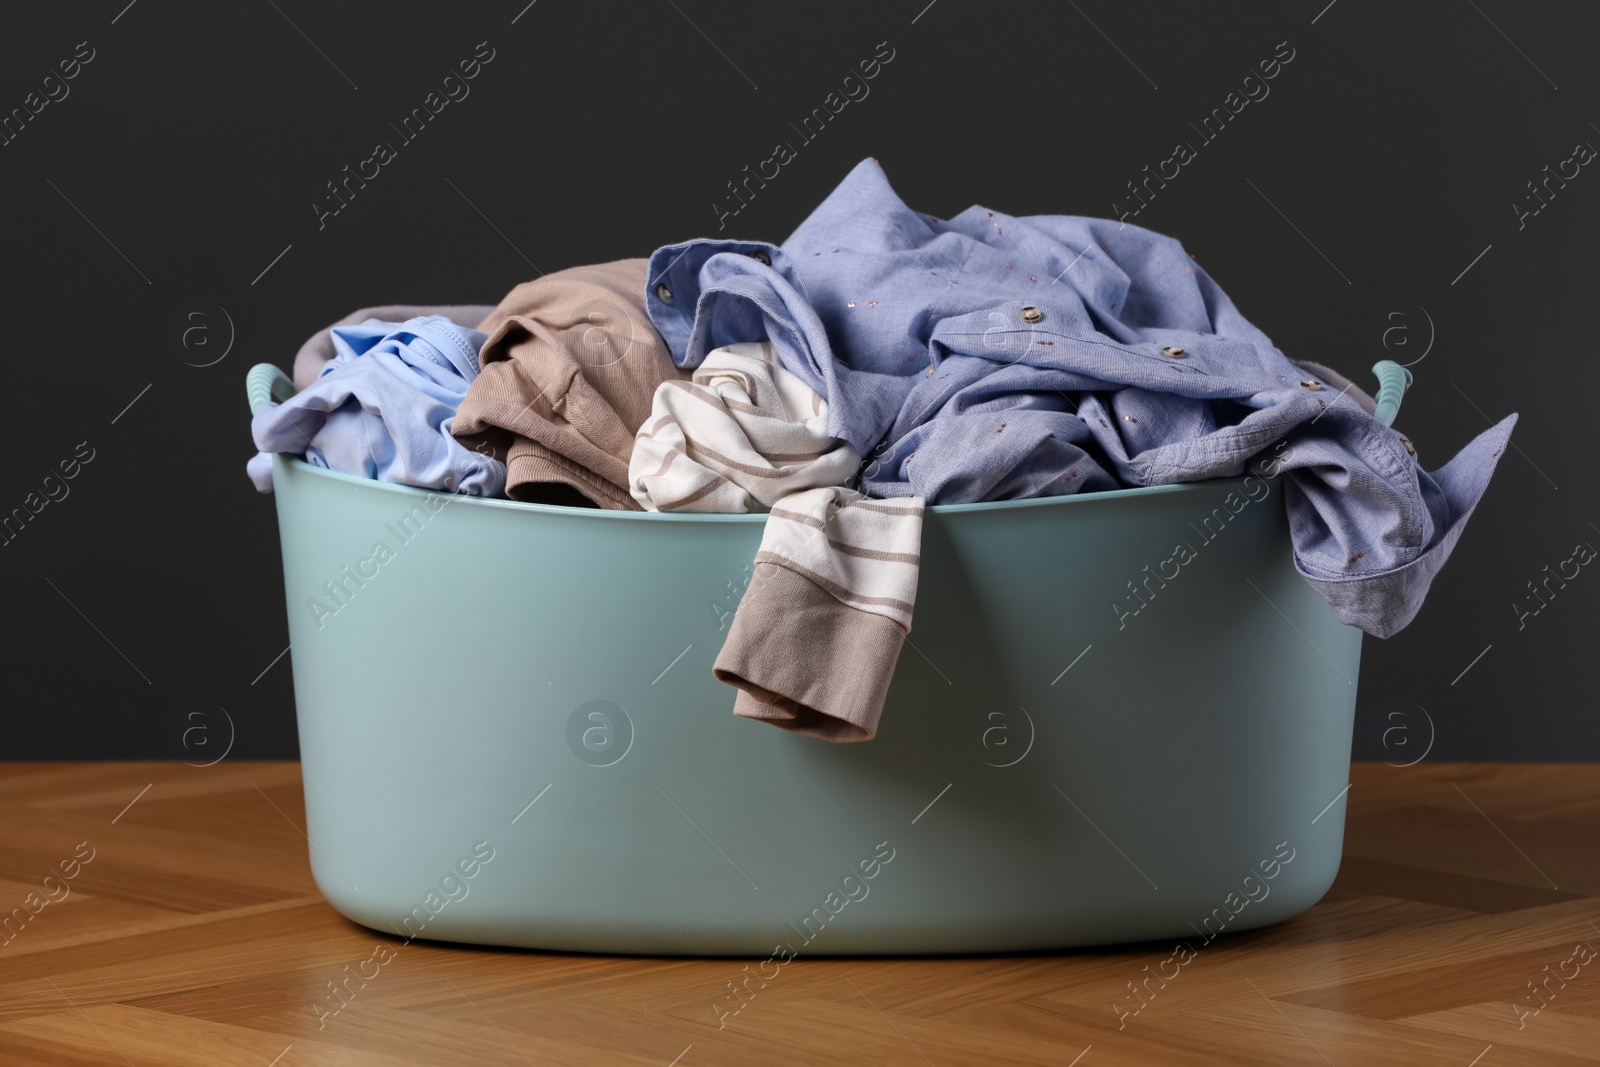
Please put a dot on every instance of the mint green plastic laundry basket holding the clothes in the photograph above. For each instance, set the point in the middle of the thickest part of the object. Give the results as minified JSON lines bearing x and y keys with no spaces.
{"x":511,"y":733}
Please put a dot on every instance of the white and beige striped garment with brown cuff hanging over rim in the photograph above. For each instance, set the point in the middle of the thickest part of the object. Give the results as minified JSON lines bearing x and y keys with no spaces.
{"x":822,"y":625}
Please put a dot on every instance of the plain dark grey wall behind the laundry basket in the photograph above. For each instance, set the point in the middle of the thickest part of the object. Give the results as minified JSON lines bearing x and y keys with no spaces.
{"x":1378,"y":183}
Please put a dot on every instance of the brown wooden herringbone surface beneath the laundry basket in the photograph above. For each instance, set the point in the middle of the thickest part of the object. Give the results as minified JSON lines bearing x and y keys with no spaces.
{"x":191,"y":933}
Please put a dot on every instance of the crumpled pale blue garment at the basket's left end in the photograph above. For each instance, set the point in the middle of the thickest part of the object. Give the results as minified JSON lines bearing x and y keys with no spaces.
{"x":383,"y":409}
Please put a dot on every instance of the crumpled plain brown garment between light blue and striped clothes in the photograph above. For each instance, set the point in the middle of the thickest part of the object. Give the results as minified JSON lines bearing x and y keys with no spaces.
{"x":570,"y":369}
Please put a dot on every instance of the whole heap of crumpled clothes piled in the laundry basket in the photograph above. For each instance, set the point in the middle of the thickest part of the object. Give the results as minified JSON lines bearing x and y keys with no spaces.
{"x":878,"y":361}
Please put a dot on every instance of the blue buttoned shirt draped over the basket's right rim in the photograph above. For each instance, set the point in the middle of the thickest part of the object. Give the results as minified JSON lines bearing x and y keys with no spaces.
{"x":994,"y":358}
